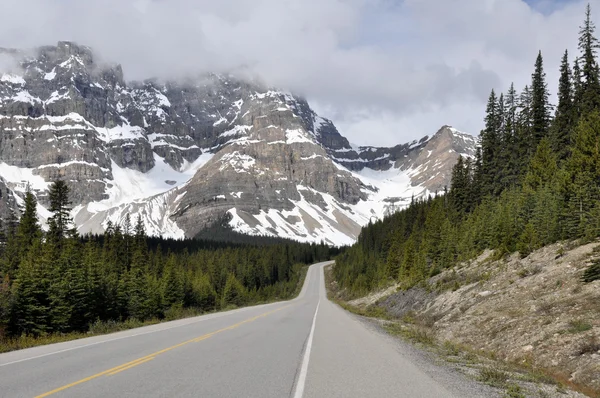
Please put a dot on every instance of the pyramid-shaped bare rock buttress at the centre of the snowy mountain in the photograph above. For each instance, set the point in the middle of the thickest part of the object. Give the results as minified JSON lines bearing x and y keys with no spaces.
{"x":273,"y":155}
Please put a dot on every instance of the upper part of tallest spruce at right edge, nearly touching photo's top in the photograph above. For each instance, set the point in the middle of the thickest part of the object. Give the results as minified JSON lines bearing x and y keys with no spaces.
{"x":588,"y":45}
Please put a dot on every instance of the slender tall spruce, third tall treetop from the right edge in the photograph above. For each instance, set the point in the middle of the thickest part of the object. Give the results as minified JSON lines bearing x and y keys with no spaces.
{"x":540,"y":107}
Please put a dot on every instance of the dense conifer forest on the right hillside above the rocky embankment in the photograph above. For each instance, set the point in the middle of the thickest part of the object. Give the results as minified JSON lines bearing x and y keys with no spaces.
{"x":534,"y":181}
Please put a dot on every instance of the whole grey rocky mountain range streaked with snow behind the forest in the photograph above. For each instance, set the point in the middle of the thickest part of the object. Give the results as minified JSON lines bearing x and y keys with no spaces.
{"x":190,"y":154}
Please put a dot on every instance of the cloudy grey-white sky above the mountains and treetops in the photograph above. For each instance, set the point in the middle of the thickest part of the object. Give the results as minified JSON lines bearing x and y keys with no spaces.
{"x":386,"y":71}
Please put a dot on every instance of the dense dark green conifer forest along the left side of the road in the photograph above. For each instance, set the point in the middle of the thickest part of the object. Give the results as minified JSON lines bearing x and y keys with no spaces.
{"x":56,"y":281}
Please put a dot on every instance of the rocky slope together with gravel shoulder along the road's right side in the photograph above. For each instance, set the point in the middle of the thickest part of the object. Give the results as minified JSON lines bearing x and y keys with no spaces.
{"x":513,"y":327}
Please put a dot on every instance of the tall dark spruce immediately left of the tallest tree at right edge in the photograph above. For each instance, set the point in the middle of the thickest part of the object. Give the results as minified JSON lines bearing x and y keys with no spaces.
{"x":563,"y":119}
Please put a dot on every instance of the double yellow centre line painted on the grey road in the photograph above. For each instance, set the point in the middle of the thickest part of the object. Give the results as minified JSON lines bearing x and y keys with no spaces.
{"x":139,"y":361}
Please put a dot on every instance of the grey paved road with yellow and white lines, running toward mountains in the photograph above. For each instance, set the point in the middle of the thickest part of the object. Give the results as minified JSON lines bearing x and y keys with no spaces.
{"x":306,"y":347}
